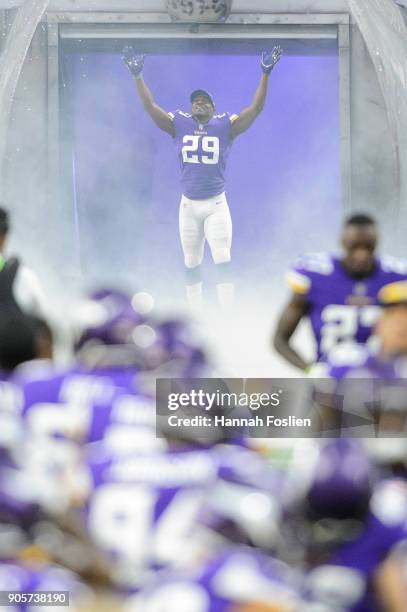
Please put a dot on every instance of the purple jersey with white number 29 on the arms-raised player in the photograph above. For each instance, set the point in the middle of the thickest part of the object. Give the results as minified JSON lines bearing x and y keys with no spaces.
{"x":203,"y":151}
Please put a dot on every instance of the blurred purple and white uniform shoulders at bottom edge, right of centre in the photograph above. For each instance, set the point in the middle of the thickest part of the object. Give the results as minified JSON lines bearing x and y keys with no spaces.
{"x":237,"y":576}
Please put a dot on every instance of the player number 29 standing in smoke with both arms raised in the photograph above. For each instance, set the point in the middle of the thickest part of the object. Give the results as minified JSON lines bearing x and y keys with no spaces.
{"x":203,"y":139}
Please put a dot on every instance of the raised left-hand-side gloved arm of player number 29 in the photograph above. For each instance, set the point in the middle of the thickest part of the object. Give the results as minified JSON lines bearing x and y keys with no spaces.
{"x":135,"y":64}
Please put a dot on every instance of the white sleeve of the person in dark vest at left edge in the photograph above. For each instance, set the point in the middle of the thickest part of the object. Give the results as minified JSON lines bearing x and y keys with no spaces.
{"x":29,"y":294}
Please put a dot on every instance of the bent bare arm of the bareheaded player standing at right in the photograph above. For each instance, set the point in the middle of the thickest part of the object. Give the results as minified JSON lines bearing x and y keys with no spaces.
{"x":292,"y":314}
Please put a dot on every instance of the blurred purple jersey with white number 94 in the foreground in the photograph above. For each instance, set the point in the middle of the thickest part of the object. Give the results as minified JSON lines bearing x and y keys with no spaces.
{"x":146,"y":508}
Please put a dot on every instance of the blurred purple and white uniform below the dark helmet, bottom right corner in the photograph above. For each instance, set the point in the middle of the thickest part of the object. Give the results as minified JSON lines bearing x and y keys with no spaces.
{"x":345,"y":580}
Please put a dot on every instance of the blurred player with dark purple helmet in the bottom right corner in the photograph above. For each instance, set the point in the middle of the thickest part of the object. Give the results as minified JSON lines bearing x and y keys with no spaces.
{"x":346,"y":531}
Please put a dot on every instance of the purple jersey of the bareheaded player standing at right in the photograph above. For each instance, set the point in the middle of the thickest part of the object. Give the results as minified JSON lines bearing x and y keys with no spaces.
{"x":342,"y":308}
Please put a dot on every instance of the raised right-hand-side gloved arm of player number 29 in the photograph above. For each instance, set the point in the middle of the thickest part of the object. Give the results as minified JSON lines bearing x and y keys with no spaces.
{"x":248,"y":115}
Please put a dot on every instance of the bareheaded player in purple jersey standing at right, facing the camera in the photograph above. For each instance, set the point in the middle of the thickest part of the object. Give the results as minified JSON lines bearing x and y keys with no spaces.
{"x":338,"y":295}
